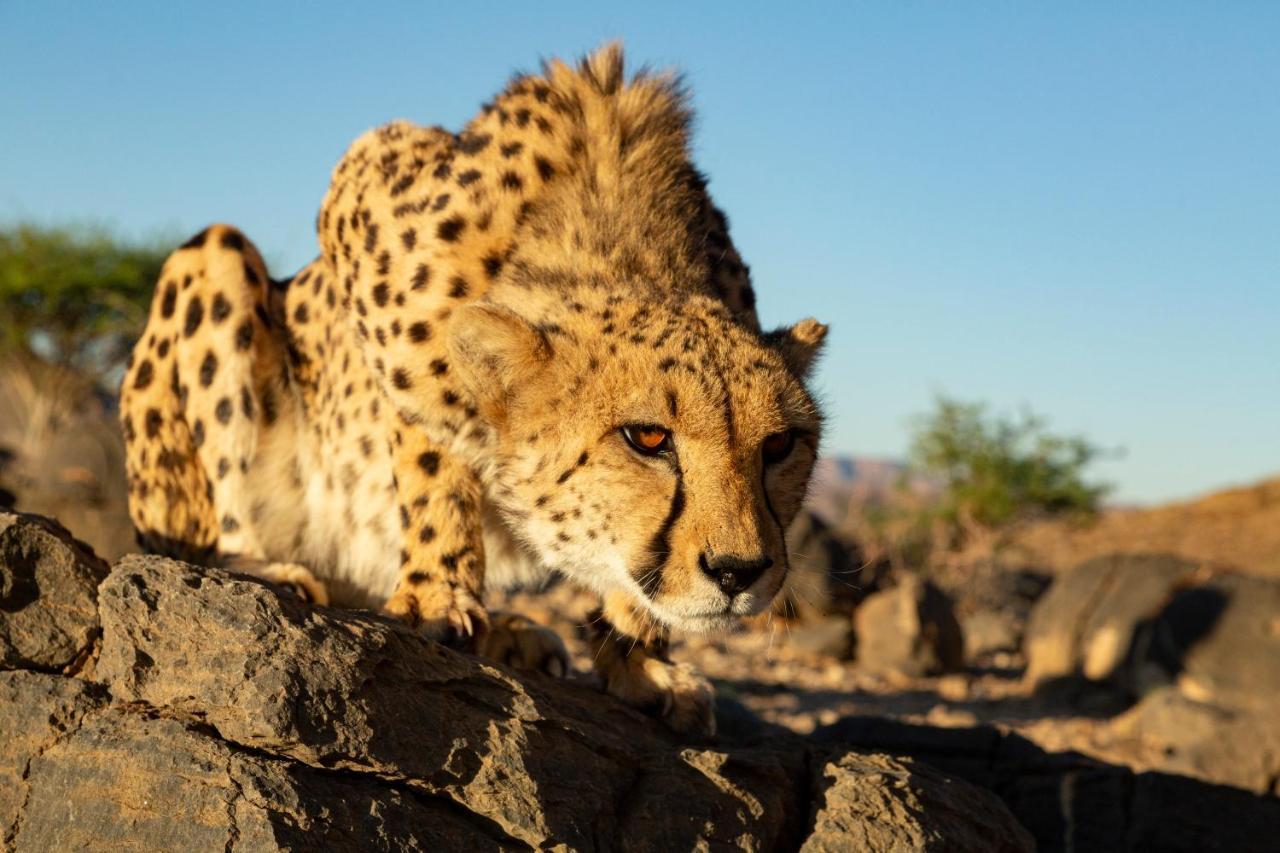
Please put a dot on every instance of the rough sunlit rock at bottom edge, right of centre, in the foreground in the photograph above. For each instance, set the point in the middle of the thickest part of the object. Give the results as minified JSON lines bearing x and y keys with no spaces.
{"x":874,"y":802}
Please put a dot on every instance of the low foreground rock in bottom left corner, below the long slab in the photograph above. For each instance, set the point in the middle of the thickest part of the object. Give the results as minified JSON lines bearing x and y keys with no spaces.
{"x":139,"y":781}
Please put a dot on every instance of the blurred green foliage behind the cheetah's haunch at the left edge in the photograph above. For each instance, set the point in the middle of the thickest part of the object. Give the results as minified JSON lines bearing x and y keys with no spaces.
{"x":75,"y":297}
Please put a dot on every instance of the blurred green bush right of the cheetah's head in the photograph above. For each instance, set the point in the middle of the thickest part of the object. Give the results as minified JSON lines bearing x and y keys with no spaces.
{"x":995,"y":471}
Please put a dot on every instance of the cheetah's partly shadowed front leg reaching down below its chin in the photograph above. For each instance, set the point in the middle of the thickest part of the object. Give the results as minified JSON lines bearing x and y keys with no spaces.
{"x":630,"y":654}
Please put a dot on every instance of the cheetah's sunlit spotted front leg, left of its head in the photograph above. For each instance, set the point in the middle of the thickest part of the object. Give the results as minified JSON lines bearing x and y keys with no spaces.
{"x":441,"y":583}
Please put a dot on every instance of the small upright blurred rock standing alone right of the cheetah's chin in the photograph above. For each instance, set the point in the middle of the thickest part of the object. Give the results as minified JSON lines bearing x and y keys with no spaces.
{"x":911,"y":631}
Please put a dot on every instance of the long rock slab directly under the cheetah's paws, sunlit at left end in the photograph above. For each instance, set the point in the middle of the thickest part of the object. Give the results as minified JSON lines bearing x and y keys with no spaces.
{"x":540,"y":761}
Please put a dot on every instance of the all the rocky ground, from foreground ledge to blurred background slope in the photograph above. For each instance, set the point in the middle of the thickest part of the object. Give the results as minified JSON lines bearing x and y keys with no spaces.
{"x":1116,"y":701}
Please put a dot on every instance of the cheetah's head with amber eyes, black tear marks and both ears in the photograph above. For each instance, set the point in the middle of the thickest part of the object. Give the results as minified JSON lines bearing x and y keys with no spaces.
{"x":657,"y":451}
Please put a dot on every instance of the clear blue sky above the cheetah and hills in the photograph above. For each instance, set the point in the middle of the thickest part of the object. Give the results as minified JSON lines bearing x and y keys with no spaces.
{"x":1072,"y":207}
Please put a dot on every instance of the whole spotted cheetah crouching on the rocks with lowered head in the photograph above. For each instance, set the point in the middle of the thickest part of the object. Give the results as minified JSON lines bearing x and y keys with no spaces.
{"x":527,"y":348}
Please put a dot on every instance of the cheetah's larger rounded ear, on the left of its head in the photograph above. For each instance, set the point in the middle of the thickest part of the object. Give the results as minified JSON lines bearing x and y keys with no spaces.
{"x":495,"y":350}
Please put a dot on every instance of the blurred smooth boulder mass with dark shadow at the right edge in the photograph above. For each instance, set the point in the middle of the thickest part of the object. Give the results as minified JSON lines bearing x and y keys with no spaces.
{"x":1199,"y":650}
